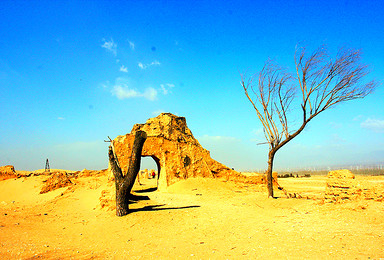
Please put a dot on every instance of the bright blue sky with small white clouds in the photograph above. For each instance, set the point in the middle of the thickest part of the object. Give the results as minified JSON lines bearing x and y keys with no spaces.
{"x":74,"y":72}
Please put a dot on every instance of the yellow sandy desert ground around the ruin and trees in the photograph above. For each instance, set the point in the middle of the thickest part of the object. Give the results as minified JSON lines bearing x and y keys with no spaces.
{"x":194,"y":219}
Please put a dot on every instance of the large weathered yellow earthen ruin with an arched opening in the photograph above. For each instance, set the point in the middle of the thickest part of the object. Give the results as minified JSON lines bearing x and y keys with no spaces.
{"x":177,"y":153}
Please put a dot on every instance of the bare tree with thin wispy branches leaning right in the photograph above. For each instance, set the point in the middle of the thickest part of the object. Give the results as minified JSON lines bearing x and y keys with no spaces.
{"x":321,"y":82}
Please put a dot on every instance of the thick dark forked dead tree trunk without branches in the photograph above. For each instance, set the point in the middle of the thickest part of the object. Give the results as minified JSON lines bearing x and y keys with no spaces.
{"x":124,"y":183}
